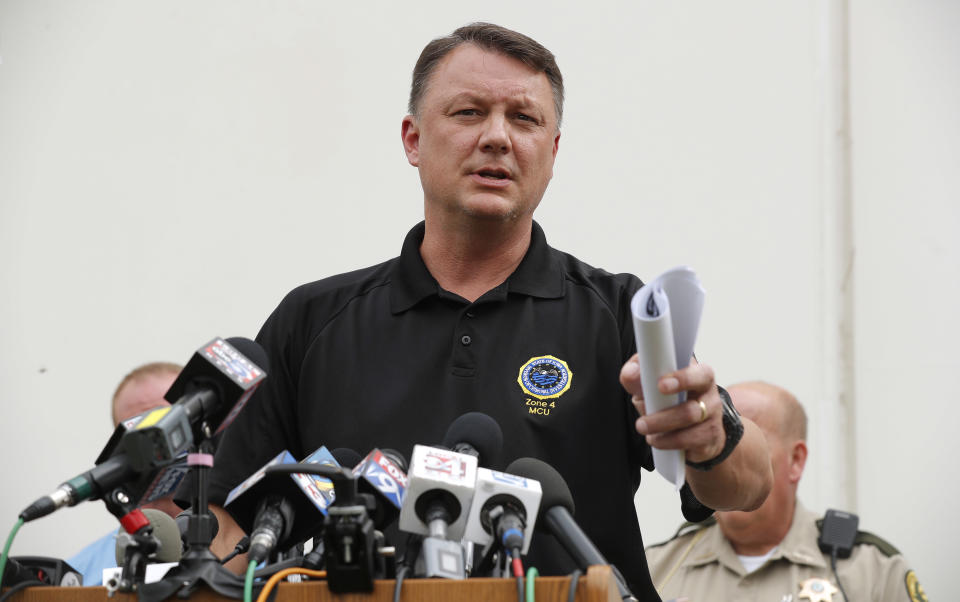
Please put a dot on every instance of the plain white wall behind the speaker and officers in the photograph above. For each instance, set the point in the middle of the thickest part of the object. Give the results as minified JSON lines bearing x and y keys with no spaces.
{"x":168,"y":170}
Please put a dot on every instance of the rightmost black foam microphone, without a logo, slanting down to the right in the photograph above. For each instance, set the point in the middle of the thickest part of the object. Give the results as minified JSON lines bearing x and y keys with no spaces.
{"x":556,"y":518}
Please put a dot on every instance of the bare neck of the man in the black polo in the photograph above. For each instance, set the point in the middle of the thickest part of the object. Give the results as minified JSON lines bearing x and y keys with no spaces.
{"x":471,"y":259}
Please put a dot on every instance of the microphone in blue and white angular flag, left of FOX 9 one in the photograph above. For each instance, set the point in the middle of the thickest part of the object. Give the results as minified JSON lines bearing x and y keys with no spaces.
{"x":282,"y":509}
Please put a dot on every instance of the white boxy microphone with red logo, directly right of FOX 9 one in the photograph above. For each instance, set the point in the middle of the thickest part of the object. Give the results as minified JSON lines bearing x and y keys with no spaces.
{"x":437,"y":503}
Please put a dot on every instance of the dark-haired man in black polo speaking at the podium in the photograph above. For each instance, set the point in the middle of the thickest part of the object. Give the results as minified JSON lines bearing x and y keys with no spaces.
{"x":478,"y":313}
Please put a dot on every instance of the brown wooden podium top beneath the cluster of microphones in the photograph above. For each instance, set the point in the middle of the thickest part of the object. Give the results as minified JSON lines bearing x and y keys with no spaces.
{"x":597,"y":585}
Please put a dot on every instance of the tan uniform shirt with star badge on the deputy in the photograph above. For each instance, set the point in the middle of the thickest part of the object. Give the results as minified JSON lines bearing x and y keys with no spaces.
{"x":701,"y":565}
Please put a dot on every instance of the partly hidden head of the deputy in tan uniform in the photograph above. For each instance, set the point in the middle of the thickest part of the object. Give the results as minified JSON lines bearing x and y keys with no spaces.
{"x":784,"y":424}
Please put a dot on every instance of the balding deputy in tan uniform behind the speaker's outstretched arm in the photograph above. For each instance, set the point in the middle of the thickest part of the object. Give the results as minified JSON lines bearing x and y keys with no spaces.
{"x":772,"y":553}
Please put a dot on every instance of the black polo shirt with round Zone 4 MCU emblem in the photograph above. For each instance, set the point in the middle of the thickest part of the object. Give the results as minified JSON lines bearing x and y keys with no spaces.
{"x":383,"y":357}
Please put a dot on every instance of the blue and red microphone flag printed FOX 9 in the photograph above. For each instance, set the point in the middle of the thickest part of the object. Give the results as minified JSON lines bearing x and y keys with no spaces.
{"x":382,"y":473}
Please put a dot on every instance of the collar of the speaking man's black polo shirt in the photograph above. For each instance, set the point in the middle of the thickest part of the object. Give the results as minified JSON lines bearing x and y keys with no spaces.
{"x":538,"y":275}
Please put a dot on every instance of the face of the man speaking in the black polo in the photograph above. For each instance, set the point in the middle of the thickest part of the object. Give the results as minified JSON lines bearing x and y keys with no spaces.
{"x":486,"y":136}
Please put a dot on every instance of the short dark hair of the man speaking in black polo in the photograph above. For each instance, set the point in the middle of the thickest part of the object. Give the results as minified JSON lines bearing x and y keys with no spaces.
{"x":489,"y":37}
